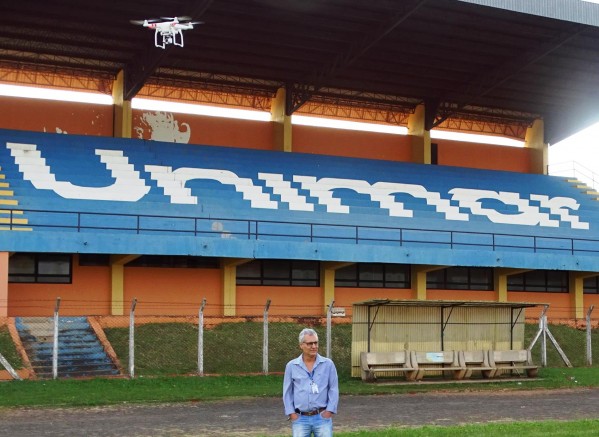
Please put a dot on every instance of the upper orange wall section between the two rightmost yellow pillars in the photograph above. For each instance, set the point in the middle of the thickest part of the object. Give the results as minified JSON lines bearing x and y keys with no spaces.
{"x":484,"y":156}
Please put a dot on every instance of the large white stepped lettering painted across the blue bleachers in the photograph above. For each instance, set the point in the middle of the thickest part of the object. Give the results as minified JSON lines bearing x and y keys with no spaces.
{"x":128,"y":186}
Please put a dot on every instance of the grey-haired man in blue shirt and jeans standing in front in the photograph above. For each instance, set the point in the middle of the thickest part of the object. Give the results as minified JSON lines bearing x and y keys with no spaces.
{"x":310,"y":389}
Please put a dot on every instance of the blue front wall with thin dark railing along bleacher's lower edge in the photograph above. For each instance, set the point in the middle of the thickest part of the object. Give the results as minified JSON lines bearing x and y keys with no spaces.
{"x":78,"y":221}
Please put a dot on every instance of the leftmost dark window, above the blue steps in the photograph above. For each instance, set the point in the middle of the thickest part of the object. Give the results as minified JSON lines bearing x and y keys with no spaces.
{"x":46,"y":268}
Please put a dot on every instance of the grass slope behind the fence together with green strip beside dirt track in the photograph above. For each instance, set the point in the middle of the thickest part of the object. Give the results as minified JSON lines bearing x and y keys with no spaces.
{"x":167,"y":349}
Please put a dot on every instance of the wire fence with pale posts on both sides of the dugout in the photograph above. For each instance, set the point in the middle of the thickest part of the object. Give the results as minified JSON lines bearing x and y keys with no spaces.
{"x":156,"y":345}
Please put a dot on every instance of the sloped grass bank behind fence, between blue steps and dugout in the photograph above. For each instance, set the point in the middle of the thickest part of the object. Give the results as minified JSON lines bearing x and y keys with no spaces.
{"x":231,"y":348}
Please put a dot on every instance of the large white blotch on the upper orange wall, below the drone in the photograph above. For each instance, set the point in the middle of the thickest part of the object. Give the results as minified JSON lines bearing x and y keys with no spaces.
{"x":162,"y":126}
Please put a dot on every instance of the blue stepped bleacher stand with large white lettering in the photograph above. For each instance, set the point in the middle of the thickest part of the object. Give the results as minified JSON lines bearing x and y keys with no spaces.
{"x":214,"y":199}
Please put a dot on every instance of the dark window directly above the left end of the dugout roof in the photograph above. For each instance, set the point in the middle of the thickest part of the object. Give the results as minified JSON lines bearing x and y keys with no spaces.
{"x":373,"y":275}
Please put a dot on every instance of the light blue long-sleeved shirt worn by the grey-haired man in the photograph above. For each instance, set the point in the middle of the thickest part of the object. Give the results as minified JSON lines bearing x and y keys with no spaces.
{"x":297,"y":392}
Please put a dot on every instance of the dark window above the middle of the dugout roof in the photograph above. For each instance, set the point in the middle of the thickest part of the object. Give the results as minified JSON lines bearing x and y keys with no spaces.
{"x":461,"y":278}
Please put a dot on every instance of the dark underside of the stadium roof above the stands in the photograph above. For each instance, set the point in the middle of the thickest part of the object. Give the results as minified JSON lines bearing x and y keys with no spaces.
{"x":464,"y":60}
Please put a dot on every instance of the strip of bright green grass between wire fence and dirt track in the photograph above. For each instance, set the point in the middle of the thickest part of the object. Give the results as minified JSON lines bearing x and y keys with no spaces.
{"x":106,"y":391}
